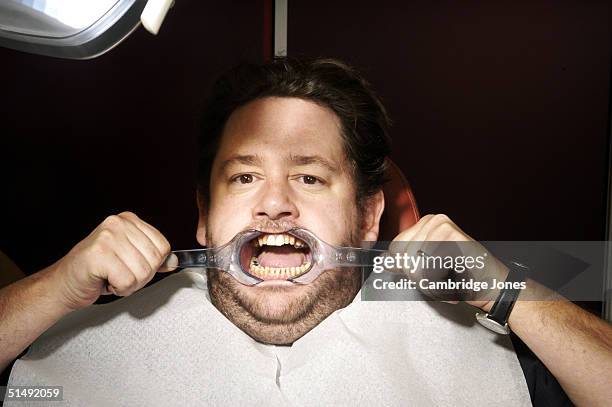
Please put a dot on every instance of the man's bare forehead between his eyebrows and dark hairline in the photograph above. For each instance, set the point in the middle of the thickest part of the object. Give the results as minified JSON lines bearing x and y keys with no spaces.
{"x":276,"y":127}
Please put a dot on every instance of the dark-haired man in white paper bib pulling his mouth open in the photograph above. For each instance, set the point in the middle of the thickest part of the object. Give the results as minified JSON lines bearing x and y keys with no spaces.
{"x":288,"y":144}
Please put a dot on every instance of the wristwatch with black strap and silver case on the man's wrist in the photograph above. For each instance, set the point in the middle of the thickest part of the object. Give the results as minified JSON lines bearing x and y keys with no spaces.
{"x":497,"y":318}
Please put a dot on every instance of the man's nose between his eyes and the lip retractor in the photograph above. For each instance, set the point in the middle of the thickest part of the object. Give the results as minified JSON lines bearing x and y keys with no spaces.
{"x":274,"y":202}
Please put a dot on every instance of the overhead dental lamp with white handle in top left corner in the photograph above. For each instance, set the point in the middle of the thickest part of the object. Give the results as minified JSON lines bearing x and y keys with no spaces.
{"x":75,"y":29}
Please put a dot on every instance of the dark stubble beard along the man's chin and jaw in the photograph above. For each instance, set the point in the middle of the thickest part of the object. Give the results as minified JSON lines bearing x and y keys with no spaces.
{"x":297,"y":310}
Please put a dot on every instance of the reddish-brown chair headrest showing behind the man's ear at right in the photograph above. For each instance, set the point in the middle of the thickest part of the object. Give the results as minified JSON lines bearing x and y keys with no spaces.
{"x":401,"y":210}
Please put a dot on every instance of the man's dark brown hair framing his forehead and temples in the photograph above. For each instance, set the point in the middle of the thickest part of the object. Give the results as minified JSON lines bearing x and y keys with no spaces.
{"x":327,"y":82}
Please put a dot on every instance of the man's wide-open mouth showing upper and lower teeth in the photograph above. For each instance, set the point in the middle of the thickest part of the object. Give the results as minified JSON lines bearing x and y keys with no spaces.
{"x":276,"y":256}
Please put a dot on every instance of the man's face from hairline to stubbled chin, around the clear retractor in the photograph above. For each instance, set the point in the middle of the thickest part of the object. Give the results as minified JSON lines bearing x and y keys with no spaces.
{"x":281,"y":164}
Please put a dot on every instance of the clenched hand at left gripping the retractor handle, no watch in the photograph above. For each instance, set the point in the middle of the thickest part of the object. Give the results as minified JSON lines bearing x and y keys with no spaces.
{"x":120,"y":256}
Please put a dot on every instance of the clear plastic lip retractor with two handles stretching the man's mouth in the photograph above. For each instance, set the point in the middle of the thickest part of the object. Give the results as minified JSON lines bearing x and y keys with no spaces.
{"x":228,"y":257}
